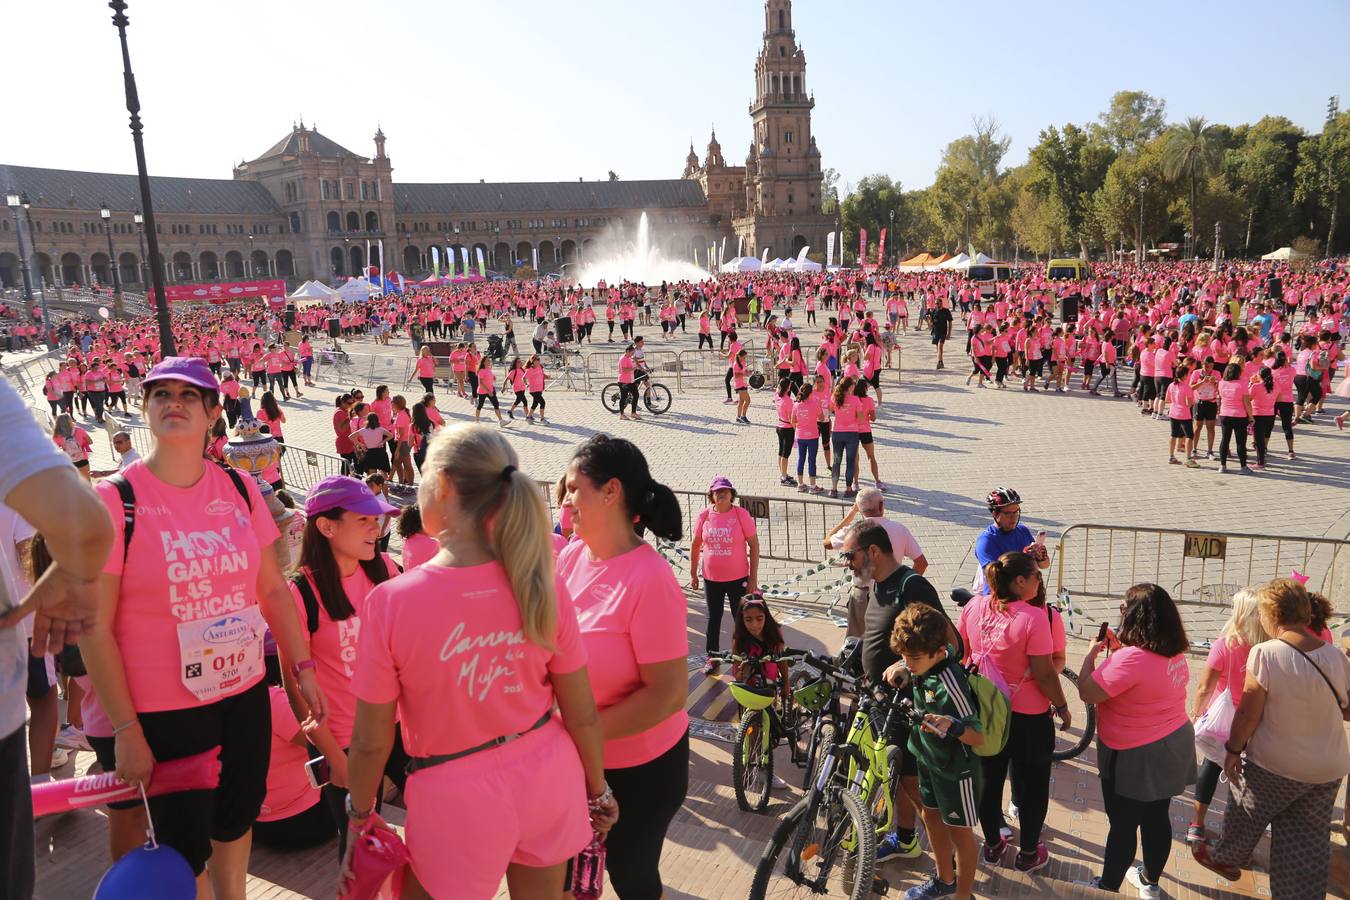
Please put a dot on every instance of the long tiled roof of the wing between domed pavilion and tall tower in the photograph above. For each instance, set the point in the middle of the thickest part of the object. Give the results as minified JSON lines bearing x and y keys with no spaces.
{"x":412,"y":199}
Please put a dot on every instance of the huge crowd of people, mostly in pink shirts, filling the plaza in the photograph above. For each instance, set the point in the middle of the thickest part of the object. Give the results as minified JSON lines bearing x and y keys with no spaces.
{"x":550,"y":698}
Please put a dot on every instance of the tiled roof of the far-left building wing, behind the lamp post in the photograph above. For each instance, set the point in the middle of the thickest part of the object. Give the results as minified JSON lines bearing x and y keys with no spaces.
{"x":70,"y":190}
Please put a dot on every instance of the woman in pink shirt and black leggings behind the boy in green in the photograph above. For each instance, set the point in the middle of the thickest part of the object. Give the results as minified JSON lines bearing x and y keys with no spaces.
{"x":1010,"y":628}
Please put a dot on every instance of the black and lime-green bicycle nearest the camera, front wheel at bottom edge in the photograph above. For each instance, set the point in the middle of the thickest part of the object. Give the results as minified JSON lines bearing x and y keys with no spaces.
{"x":827,"y":843}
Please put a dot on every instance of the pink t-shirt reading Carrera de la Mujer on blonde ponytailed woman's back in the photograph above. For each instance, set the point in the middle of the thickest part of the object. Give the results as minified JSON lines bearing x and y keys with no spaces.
{"x":448,"y":644}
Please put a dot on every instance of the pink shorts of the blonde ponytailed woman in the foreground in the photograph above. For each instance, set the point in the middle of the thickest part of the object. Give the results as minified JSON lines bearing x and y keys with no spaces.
{"x":520,"y":804}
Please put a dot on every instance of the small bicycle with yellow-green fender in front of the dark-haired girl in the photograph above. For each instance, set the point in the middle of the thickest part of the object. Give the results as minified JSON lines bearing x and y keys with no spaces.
{"x":770,"y":716}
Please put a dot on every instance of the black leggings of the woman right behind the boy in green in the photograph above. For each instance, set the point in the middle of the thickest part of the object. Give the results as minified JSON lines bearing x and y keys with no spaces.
{"x":1031,"y":744}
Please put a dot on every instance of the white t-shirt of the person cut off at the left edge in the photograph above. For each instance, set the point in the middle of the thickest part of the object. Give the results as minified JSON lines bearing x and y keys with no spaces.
{"x":29,"y":453}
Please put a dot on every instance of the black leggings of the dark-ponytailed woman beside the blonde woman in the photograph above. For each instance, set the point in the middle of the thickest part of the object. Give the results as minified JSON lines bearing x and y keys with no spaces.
{"x":649,"y":795}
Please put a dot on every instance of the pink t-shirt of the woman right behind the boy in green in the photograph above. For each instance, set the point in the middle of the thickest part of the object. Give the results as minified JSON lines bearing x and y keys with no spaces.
{"x":1012,"y":638}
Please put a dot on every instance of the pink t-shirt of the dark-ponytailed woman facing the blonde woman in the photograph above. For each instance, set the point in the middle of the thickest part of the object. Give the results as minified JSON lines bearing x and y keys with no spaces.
{"x":632,"y":613}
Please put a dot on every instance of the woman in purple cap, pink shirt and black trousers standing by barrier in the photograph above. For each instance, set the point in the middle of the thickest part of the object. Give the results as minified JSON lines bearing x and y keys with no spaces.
{"x":724,"y":549}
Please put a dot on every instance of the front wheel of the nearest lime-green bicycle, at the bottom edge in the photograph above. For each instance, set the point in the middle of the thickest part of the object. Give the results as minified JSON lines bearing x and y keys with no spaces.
{"x":807,"y":856}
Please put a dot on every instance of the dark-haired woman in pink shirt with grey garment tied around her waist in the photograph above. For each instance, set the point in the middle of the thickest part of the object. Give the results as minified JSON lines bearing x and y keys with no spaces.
{"x":1145,"y":741}
